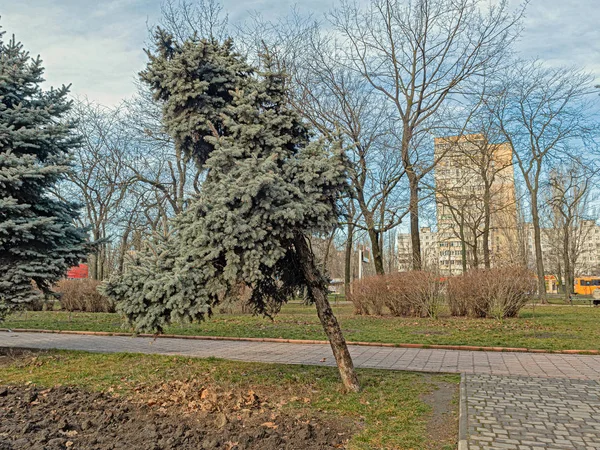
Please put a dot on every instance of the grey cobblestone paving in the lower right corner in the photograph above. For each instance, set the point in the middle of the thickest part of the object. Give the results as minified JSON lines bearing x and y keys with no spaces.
{"x":532,"y":413}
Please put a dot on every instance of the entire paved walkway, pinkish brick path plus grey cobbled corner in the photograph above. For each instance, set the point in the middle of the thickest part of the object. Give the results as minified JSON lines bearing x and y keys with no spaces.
{"x":514,"y":400}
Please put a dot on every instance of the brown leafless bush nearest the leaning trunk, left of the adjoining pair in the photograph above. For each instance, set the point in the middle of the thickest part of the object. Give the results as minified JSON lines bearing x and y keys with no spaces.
{"x":406,"y":294}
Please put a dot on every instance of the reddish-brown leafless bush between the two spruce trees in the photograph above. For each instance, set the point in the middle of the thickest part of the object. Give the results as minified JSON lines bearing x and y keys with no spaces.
{"x":82,"y":295}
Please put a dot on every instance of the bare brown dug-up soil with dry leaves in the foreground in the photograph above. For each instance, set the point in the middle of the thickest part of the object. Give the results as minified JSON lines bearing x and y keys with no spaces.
{"x":65,"y":417}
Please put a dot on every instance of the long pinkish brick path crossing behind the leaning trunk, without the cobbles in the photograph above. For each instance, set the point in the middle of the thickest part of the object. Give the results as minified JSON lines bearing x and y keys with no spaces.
{"x":422,"y":360}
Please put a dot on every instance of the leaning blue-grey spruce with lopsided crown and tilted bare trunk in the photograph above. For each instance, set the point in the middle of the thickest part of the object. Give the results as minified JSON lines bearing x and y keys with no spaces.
{"x":267,"y":188}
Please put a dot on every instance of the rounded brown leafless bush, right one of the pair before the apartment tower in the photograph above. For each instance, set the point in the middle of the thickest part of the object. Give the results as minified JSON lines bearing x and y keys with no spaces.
{"x":497,"y":293}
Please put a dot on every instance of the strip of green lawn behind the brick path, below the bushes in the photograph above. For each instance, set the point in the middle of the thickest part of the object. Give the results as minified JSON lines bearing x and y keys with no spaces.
{"x":542,"y":327}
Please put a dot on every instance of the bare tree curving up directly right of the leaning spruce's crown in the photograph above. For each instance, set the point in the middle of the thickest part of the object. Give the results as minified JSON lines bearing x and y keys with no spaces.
{"x":338,"y":101}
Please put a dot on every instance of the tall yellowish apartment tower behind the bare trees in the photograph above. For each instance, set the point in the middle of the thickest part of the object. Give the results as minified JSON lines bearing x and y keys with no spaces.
{"x":473,"y":179}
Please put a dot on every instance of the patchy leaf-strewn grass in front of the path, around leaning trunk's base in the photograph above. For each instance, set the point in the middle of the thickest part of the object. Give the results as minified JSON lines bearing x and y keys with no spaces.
{"x":393,"y":411}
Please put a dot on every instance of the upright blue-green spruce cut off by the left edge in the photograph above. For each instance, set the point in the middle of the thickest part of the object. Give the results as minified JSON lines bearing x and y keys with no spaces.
{"x":38,"y":241}
